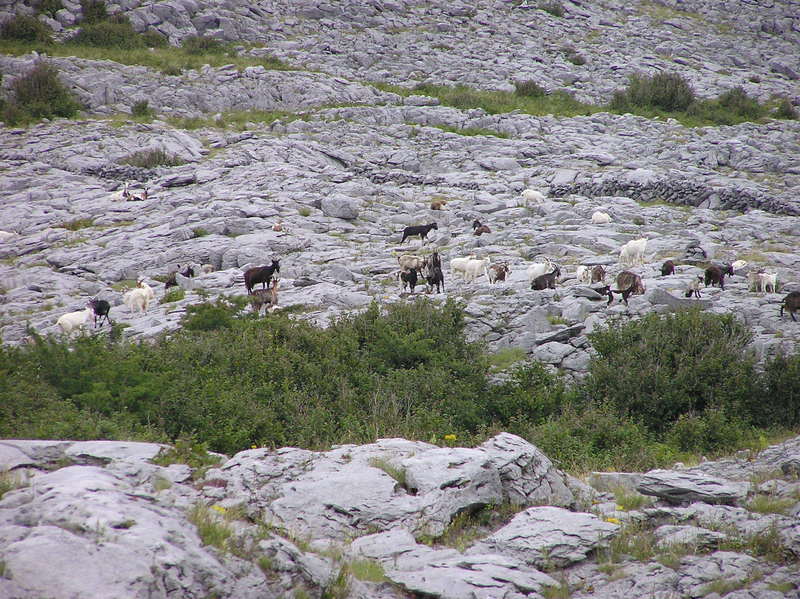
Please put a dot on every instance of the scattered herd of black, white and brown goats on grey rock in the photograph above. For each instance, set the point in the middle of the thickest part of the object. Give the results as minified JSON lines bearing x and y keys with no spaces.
{"x":427,"y":270}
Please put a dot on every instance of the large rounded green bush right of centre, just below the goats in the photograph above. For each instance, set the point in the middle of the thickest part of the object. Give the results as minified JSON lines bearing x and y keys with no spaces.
{"x":662,"y":367}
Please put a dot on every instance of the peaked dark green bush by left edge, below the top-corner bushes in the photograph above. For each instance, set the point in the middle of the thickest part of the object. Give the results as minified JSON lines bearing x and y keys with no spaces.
{"x":40,"y":94}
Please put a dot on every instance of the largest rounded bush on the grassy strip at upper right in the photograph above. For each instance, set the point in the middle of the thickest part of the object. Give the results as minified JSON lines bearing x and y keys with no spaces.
{"x":664,"y":91}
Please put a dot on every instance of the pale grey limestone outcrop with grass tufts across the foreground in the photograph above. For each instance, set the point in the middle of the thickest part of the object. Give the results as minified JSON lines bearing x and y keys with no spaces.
{"x":390,"y":520}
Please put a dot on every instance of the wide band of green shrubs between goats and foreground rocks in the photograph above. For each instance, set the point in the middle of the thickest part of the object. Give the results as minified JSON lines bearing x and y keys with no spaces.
{"x":229,"y":381}
